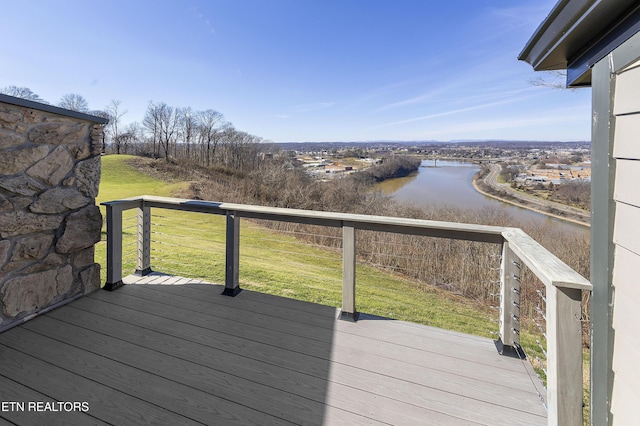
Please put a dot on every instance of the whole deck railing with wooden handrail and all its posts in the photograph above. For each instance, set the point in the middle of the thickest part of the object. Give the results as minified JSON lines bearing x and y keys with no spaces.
{"x":563,"y":285}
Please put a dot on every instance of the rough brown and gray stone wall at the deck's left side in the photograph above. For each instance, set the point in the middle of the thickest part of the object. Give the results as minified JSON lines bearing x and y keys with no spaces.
{"x":49,"y":223}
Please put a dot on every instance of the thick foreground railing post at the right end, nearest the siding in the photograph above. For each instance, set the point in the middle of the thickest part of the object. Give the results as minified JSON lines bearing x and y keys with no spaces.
{"x":564,"y":355}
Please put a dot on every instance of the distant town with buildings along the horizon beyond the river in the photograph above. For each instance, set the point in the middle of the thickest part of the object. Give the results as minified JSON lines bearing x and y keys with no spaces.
{"x":523,"y":163}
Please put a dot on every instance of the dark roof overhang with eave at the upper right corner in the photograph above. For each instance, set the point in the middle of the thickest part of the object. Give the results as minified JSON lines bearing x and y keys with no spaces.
{"x":578,"y":33}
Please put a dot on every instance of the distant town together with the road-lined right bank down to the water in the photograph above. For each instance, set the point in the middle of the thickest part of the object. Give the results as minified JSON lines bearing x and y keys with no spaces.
{"x":549,"y":177}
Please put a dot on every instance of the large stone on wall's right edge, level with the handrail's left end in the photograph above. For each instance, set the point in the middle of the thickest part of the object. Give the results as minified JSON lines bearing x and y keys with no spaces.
{"x":82,"y":230}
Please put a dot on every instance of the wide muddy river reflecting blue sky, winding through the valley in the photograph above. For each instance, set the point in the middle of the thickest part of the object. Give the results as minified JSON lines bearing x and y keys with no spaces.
{"x":449,"y":184}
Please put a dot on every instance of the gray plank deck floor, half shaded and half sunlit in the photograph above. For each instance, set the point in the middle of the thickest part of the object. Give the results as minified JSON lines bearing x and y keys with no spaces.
{"x":153,"y":353}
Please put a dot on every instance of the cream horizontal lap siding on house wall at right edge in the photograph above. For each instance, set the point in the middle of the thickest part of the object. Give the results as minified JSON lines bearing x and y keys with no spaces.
{"x":626,"y":271}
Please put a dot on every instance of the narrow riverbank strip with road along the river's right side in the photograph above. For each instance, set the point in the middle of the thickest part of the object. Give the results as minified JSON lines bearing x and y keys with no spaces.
{"x":516,"y":199}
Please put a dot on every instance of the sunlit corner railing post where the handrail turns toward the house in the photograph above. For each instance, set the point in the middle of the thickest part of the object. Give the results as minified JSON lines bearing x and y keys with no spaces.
{"x":509,"y":341}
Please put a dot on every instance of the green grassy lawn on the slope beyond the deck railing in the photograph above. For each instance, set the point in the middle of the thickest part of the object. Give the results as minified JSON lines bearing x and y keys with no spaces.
{"x":192,"y":245}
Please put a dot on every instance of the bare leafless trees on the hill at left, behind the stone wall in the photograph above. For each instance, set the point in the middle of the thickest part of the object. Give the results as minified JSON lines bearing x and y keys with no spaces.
{"x":173,"y":133}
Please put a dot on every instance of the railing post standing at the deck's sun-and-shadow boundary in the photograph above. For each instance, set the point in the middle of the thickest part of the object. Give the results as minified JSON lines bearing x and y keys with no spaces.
{"x":348,"y":311}
